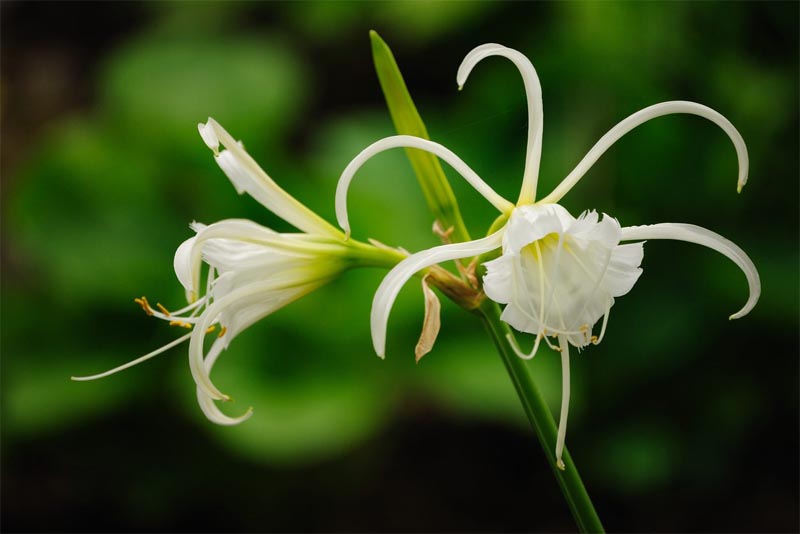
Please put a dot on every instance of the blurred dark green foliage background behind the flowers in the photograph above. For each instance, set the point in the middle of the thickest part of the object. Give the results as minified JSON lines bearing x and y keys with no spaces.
{"x":680,"y":421}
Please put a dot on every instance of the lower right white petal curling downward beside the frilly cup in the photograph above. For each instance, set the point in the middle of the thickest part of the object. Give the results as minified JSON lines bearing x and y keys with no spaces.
{"x":707,"y":238}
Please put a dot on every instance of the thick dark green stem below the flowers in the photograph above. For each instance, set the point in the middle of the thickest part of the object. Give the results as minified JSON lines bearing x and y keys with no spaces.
{"x":542,"y":422}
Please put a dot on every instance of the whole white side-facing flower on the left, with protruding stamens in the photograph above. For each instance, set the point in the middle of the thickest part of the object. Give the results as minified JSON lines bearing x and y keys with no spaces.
{"x":252,"y":270}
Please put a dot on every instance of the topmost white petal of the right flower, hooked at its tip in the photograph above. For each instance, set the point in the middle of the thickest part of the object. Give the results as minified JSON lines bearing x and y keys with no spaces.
{"x":533,"y":90}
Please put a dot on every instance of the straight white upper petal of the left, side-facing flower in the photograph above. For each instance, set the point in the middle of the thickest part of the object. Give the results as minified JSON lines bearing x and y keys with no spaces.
{"x":247,"y":176}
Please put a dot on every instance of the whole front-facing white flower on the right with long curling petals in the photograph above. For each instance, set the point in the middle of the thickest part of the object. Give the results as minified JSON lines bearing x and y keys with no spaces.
{"x":557,"y":275}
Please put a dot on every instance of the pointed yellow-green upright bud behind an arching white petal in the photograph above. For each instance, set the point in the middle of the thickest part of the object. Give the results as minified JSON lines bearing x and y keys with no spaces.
{"x":438,"y":193}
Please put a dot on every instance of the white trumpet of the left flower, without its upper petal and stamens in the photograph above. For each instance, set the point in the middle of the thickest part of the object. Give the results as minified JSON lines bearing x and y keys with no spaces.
{"x":257,"y":271}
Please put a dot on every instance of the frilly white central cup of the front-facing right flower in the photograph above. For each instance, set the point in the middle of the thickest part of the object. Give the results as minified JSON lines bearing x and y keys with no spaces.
{"x":558,"y":275}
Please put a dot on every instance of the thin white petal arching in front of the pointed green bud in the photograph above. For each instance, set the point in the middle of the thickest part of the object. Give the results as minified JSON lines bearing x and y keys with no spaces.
{"x":410,"y":141}
